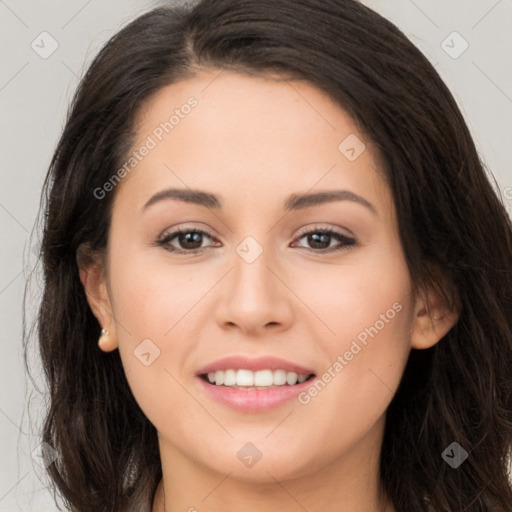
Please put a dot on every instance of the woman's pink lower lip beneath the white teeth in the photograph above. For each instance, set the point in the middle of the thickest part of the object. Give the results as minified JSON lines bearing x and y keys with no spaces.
{"x":254,"y":400}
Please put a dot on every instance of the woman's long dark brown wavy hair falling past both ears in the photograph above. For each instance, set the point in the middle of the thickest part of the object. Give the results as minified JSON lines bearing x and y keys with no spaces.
{"x":453,"y":228}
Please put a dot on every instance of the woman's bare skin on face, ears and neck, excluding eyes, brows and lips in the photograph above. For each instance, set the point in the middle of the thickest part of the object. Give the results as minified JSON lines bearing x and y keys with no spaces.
{"x":253,"y":141}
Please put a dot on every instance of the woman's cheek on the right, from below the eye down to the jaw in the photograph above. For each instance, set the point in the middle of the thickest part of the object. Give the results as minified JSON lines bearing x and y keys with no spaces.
{"x":367,"y":307}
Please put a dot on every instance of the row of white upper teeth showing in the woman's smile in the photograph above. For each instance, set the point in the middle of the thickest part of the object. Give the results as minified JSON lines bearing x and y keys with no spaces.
{"x":261,"y":378}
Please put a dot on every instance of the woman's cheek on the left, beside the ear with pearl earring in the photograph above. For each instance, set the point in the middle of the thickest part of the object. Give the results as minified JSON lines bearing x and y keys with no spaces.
{"x":150,"y":304}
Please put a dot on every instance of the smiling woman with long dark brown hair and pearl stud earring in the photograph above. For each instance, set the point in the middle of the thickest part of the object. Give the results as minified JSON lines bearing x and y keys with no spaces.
{"x":272,"y":219}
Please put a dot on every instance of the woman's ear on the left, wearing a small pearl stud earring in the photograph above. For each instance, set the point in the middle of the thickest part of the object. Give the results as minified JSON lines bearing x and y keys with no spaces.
{"x":93,"y":277}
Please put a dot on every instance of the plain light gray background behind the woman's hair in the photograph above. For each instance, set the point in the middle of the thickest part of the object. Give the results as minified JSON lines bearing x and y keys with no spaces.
{"x":34,"y":94}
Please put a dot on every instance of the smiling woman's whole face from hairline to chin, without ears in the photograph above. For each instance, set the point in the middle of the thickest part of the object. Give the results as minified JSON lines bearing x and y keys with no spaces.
{"x":281,"y":284}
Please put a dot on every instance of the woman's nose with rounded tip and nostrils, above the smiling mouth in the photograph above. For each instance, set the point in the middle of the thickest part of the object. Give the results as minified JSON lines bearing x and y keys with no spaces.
{"x":255,"y":297}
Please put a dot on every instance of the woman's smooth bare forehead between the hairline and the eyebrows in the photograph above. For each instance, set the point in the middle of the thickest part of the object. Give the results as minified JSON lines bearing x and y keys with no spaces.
{"x":243,"y":135}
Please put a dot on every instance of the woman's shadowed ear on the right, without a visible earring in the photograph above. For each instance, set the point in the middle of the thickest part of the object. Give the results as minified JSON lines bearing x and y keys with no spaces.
{"x":434,"y":315}
